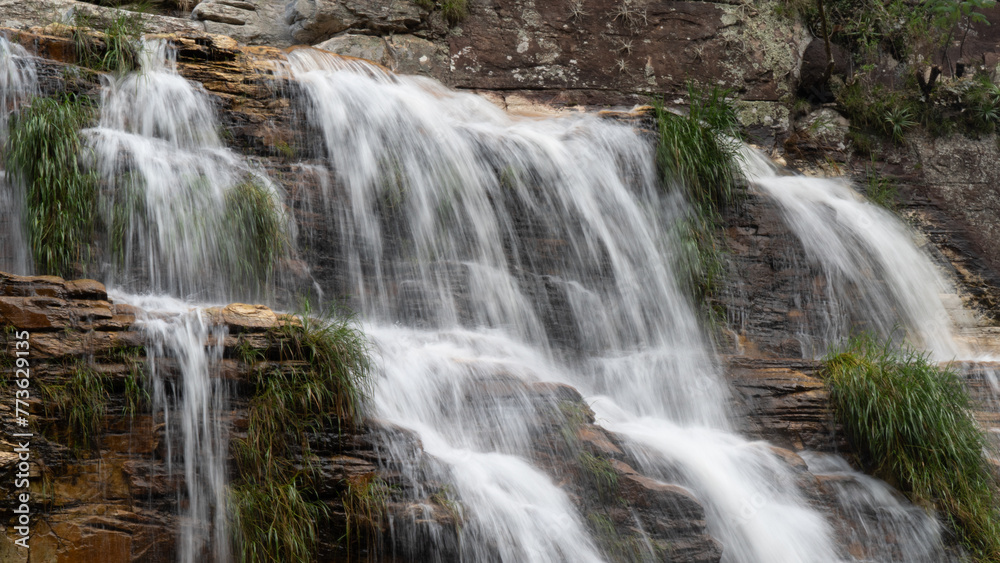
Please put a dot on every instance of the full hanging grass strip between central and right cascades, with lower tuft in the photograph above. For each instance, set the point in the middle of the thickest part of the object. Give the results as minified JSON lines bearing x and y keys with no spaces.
{"x":699,"y":153}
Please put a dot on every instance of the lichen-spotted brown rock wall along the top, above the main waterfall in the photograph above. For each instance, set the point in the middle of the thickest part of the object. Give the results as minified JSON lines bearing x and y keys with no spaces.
{"x":571,"y":52}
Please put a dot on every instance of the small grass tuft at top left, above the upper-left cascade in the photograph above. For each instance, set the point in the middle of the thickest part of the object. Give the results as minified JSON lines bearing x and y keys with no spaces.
{"x":115,"y":47}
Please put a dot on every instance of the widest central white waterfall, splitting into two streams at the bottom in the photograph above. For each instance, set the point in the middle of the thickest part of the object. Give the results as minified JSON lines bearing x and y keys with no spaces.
{"x":539,"y":250}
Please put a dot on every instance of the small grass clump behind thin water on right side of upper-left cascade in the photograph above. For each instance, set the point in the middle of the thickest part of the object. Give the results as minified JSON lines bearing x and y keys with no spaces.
{"x":256,"y":232}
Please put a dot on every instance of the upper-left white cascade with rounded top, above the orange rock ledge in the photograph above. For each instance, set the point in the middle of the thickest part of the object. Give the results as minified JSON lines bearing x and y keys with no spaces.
{"x":167,"y":180}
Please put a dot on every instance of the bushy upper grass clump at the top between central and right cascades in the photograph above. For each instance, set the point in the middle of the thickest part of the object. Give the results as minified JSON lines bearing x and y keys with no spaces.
{"x":699,"y":150}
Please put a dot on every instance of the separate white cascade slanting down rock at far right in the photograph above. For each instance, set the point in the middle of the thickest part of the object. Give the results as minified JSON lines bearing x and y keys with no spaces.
{"x":875,"y":273}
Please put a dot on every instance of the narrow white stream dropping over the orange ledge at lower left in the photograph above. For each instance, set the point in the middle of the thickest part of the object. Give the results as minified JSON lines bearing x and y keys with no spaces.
{"x":193,"y":401}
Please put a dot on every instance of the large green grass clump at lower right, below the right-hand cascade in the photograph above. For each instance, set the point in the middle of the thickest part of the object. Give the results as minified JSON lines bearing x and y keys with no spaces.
{"x":911,"y":421}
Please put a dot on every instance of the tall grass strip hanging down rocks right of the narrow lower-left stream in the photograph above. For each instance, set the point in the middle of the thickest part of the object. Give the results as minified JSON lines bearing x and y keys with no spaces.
{"x":322,"y":384}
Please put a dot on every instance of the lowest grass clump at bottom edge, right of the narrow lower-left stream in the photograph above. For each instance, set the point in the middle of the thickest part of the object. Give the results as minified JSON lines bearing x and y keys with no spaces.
{"x":275,"y":521}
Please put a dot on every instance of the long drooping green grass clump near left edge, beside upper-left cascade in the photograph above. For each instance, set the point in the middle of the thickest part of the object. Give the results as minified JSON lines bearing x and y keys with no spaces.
{"x":43,"y":154}
